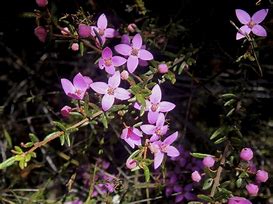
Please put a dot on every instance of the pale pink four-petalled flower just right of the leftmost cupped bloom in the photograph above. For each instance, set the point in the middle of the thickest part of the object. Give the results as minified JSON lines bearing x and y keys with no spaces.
{"x":110,"y":91}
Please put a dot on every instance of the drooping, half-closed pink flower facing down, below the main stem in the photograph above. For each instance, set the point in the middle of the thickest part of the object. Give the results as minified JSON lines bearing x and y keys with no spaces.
{"x":132,"y":136}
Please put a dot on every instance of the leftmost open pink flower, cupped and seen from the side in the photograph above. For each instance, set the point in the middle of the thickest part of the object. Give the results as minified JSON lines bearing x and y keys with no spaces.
{"x":78,"y":88}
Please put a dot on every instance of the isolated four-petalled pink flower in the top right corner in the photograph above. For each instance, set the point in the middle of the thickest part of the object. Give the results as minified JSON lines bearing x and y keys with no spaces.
{"x":251,"y":24}
